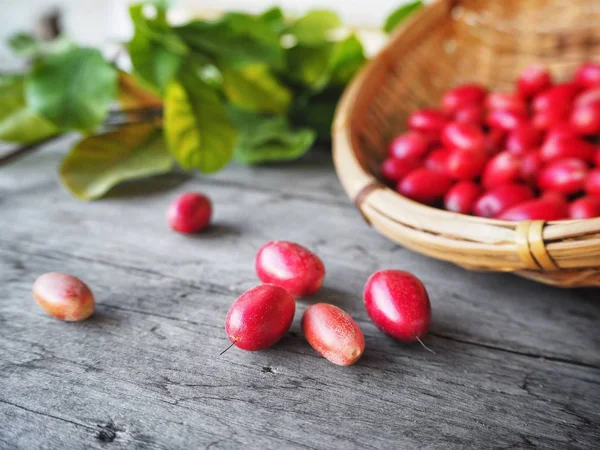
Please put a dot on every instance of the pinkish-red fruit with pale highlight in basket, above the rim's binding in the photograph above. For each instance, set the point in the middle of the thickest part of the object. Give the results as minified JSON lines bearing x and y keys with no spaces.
{"x":563,"y":175}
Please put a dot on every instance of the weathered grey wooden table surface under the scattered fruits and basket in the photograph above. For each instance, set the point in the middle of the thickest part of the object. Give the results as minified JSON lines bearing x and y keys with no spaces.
{"x":517,"y":364}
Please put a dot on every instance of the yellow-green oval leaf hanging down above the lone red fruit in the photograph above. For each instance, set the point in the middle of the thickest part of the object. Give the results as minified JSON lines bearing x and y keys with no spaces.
{"x":198,"y":130}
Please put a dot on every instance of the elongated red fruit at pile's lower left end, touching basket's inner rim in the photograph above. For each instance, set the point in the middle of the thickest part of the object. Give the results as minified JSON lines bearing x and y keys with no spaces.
{"x":425,"y":185}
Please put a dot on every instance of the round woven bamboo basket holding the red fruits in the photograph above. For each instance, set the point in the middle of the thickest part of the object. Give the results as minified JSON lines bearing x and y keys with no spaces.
{"x":444,"y":44}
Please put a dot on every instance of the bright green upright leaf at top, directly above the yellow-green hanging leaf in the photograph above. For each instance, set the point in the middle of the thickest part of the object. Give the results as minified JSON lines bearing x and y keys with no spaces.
{"x":156,"y":51}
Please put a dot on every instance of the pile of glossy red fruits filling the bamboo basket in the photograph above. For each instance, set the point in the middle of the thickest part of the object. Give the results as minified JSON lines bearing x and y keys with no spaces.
{"x":532,"y":154}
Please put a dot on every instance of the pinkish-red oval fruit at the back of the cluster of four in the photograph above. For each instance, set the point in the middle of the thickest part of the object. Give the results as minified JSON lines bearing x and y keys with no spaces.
{"x":291,"y":266}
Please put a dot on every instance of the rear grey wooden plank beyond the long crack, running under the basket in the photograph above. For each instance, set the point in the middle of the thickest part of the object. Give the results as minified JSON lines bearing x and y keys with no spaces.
{"x":490,"y":309}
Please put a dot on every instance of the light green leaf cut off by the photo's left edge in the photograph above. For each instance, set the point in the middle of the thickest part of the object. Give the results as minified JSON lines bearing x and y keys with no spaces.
{"x":18,"y":123}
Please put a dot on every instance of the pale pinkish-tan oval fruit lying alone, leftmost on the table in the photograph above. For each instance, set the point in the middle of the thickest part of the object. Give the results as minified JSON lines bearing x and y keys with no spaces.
{"x":64,"y":296}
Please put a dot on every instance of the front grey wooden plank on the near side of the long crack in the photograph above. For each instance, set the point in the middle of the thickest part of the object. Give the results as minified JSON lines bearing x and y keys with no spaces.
{"x":147,"y":367}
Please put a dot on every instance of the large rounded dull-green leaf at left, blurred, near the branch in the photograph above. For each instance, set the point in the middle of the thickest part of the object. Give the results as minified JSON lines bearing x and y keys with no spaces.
{"x":73,"y":89}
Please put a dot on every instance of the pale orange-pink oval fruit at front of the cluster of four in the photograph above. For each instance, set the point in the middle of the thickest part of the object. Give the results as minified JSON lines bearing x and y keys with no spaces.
{"x":333,"y":333}
